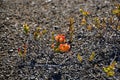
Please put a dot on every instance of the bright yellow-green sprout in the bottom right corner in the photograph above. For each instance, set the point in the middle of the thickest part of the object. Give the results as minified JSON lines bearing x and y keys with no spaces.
{"x":109,"y":70}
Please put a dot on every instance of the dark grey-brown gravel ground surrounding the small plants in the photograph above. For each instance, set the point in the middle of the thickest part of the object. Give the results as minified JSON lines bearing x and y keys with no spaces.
{"x":41,"y":62}
